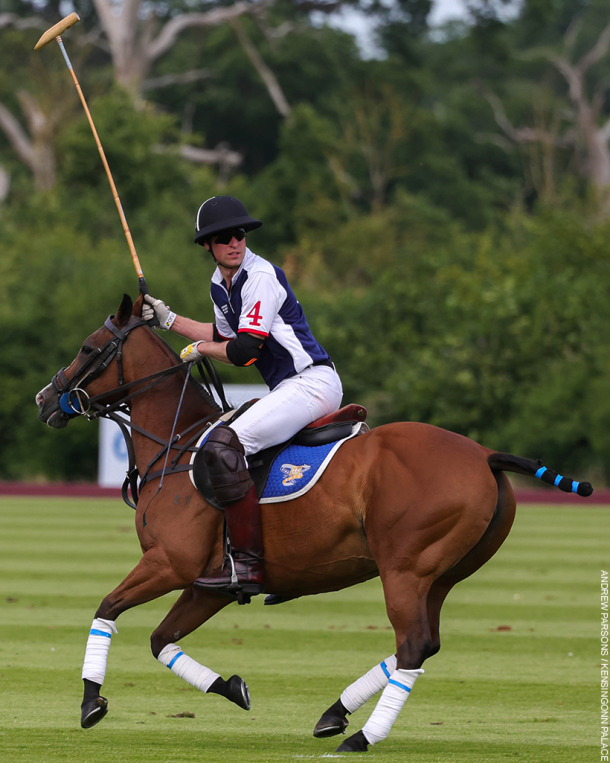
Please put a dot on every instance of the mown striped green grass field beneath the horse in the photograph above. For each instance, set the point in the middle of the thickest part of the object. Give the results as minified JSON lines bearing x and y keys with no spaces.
{"x":517,"y":678}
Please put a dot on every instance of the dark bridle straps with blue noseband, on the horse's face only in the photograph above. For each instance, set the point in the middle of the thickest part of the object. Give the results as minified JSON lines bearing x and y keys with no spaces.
{"x":73,"y":398}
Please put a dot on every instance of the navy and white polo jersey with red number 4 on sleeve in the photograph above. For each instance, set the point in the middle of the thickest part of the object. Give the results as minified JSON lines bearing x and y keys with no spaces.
{"x":261,"y":302}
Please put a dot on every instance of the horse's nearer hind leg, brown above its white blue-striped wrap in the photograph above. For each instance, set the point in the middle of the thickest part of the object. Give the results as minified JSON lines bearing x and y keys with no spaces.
{"x":407,"y":610}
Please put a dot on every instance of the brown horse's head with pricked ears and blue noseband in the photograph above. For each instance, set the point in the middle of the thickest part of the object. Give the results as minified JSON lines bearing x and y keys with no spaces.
{"x":92,"y":371}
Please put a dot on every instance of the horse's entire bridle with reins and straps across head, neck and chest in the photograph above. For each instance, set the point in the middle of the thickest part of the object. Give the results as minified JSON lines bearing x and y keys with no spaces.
{"x":74,"y":400}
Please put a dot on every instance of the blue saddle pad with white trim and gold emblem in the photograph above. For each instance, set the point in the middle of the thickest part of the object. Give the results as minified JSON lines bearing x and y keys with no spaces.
{"x":297,"y":469}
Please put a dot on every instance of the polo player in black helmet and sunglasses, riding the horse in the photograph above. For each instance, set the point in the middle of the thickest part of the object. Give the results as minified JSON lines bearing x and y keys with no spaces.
{"x":259,"y":321}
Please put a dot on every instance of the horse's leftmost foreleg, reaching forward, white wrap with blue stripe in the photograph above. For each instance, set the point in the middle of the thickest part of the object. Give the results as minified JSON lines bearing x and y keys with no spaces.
{"x":152,"y":577}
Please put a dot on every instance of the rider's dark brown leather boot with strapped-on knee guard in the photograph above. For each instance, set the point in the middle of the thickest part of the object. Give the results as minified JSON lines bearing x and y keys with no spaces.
{"x":242,"y":572}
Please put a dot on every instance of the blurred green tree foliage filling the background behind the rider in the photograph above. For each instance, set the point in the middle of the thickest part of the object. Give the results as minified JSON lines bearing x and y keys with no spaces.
{"x":456,"y":276}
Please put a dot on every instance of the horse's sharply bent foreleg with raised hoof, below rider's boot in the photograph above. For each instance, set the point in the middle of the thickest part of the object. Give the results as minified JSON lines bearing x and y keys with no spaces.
{"x":192,"y":609}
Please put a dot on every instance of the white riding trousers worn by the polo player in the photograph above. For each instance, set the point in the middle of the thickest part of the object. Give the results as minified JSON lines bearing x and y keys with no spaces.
{"x":293,"y":404}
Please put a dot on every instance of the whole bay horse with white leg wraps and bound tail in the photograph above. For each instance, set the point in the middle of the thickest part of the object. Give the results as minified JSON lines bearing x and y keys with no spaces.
{"x":419,"y":506}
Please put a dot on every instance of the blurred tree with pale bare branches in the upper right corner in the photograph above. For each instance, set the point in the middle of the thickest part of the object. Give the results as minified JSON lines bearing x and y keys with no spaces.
{"x":575,"y":118}
